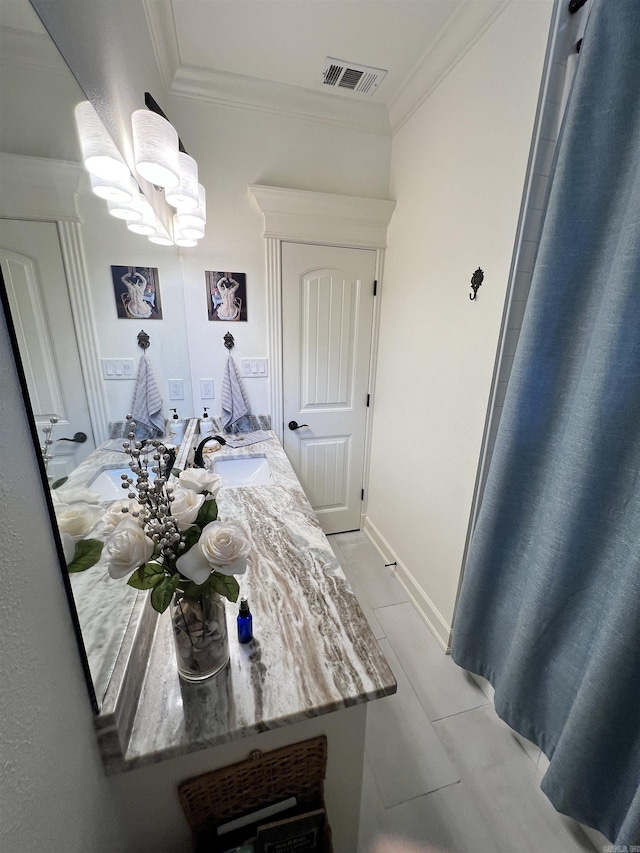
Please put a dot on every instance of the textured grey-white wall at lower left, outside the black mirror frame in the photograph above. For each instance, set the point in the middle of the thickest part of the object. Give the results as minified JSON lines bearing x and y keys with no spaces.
{"x":53,"y":792}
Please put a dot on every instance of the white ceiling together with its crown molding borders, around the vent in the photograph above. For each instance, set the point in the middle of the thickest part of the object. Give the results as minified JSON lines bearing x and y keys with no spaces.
{"x":269,"y":54}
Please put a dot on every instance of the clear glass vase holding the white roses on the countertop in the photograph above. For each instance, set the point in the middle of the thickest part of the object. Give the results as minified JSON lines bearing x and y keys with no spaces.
{"x":200,"y":636}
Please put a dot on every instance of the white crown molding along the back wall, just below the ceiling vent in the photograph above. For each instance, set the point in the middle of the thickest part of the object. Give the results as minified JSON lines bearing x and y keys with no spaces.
{"x":251,"y":93}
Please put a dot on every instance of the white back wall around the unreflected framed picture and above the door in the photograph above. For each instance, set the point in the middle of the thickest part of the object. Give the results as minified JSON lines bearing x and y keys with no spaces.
{"x":236,"y":148}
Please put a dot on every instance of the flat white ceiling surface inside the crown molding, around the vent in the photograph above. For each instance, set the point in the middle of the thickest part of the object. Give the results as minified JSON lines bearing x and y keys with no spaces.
{"x":286,"y":41}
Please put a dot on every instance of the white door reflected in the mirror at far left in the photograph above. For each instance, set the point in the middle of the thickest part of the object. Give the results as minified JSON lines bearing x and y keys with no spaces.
{"x":33,"y":272}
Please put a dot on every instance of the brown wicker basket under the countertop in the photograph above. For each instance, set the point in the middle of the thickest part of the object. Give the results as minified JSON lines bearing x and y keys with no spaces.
{"x":261,"y":780}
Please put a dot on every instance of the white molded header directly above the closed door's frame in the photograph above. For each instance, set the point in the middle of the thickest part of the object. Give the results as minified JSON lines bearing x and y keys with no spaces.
{"x":315,"y":217}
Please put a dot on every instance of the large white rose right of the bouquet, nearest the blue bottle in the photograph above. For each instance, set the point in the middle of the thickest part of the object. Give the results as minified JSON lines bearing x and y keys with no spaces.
{"x":224,"y":546}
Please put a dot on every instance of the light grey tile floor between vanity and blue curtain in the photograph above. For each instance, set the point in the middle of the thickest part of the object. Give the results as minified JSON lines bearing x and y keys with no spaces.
{"x":441,"y":768}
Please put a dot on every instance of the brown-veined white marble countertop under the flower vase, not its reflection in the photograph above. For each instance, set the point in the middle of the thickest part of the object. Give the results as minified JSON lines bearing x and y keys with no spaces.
{"x":313,"y":651}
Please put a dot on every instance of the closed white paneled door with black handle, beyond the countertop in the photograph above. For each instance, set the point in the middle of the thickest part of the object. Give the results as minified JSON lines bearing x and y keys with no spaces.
{"x":327,"y":313}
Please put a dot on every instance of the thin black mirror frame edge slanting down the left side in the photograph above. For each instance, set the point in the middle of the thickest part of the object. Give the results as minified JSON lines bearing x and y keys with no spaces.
{"x":35,"y":438}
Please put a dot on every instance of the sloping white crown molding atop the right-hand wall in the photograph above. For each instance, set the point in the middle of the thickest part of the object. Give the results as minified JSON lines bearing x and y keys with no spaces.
{"x":463,"y":29}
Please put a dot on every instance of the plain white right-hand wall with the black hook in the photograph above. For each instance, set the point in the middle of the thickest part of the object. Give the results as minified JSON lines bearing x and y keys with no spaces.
{"x":457,"y":173}
